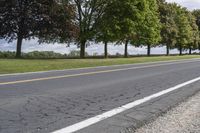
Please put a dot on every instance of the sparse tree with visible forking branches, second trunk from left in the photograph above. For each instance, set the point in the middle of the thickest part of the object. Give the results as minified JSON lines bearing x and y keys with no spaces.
{"x":88,"y":13}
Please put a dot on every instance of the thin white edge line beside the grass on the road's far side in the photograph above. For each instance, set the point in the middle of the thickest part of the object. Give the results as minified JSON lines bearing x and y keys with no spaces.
{"x":85,"y":68}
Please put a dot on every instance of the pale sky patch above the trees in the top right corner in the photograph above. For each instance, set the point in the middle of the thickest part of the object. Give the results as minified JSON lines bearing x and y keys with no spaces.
{"x":190,"y":4}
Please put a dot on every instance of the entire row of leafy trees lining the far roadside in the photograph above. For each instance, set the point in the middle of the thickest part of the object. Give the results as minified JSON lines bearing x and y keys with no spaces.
{"x":136,"y":22}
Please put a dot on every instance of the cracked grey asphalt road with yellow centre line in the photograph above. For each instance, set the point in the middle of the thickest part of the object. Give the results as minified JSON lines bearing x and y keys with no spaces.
{"x":49,"y":101}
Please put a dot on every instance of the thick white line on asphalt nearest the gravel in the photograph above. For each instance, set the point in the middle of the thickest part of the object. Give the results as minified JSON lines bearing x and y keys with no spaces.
{"x":98,"y":118}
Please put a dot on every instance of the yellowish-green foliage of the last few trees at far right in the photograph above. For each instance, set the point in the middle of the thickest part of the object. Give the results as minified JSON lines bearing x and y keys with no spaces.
{"x":179,"y":28}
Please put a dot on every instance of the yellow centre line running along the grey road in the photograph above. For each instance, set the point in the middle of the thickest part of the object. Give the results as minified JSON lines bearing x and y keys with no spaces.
{"x":88,"y":73}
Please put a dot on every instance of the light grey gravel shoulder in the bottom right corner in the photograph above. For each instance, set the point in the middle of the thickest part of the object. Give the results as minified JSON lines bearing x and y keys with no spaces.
{"x":185,"y":118}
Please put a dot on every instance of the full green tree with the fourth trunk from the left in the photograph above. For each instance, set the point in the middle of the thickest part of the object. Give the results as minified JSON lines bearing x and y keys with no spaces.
{"x":130,"y":20}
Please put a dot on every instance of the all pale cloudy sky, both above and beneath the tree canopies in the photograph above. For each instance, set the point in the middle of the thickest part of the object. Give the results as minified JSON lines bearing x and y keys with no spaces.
{"x":33,"y":45}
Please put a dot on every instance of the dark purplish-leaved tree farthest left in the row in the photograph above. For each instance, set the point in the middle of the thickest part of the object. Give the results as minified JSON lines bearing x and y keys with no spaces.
{"x":26,"y":19}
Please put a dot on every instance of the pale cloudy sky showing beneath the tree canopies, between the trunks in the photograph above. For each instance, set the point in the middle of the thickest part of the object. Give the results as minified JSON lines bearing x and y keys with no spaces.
{"x":33,"y":45}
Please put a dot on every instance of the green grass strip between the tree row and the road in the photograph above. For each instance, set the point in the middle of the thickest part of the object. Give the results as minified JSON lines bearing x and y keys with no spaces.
{"x":25,"y":65}
